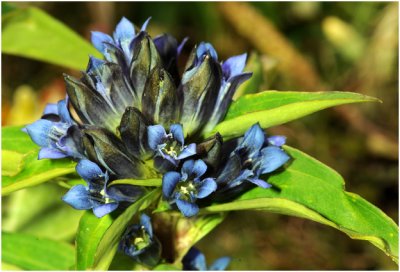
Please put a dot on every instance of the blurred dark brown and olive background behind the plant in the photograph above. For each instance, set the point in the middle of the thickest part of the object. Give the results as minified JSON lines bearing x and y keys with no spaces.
{"x":301,"y":46}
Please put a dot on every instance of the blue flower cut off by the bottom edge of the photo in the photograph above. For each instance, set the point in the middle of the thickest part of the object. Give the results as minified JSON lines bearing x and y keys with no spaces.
{"x":195,"y":260}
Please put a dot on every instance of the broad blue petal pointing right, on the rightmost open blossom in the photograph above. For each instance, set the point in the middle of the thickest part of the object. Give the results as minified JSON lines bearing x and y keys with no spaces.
{"x":272,"y":158}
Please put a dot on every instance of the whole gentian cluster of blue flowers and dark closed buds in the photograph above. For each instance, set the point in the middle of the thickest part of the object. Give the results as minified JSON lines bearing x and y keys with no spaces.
{"x":138,"y":118}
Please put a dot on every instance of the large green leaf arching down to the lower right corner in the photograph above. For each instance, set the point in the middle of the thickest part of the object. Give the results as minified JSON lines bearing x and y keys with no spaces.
{"x":309,"y":189}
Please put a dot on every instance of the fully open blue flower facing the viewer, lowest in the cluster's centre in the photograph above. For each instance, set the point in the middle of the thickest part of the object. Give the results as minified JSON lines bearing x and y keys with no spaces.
{"x":185,"y":187}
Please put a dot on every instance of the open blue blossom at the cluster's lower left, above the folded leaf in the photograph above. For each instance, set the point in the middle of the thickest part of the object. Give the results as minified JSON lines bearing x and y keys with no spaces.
{"x":96,"y":195}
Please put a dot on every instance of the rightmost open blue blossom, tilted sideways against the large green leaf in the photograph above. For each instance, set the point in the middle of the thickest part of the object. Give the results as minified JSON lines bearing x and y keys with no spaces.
{"x":255,"y":155}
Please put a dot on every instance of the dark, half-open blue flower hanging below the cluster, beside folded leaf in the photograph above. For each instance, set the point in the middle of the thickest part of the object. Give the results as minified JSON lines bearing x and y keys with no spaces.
{"x":139,"y":243}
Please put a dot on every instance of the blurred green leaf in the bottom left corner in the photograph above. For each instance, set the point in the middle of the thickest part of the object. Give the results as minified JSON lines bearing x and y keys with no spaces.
{"x":33,"y":253}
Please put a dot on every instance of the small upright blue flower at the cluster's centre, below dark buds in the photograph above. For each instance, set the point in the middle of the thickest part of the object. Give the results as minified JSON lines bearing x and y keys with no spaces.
{"x":170,"y":146}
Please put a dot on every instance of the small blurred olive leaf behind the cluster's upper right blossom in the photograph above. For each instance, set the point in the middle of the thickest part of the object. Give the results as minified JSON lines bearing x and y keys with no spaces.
{"x":253,"y":84}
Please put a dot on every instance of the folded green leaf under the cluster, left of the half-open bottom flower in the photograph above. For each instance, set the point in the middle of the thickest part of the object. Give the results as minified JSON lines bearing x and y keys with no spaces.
{"x":97,"y":238}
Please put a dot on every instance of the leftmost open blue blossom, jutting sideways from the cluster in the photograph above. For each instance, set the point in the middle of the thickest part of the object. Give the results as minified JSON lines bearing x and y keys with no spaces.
{"x":56,"y":133}
